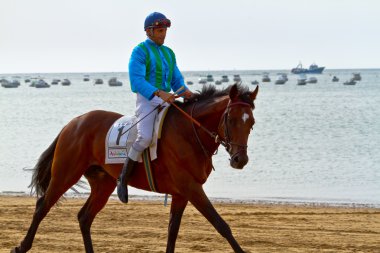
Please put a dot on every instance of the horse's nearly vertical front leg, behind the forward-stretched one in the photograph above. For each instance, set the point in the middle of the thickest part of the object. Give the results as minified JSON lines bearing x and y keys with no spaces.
{"x":177,"y":208}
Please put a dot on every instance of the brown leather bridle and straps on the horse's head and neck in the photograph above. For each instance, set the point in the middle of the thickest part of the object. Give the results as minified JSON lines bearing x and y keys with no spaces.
{"x":226,"y":141}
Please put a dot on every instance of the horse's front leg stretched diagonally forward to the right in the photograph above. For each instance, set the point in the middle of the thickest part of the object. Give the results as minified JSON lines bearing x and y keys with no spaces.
{"x":201,"y":202}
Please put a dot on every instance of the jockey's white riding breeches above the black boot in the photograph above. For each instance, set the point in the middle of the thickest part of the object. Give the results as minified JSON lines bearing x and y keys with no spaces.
{"x":146,"y":125}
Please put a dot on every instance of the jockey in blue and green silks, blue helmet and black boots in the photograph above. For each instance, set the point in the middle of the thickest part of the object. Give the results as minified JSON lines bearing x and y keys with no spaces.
{"x":153,"y":73}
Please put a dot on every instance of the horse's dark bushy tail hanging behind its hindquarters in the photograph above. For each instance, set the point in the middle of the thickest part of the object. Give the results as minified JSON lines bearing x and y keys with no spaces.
{"x":42,"y":171}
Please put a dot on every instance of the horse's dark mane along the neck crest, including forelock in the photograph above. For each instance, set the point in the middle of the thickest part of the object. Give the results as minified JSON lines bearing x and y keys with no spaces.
{"x":210,"y":92}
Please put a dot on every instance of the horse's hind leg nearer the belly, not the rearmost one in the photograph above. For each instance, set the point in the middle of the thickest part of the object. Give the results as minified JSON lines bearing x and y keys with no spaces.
{"x":102,"y":186}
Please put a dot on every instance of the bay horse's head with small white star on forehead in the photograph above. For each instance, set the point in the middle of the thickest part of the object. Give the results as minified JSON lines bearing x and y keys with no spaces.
{"x":236,"y":125}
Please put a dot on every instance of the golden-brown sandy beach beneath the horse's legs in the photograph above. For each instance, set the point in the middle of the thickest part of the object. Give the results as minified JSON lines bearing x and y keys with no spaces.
{"x":141,"y":226}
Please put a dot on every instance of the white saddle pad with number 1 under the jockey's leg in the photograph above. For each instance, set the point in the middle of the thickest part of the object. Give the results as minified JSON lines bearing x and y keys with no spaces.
{"x":121,"y":136}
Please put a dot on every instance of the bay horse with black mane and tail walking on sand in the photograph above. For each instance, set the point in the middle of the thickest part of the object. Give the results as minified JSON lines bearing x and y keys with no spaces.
{"x":183,"y":165}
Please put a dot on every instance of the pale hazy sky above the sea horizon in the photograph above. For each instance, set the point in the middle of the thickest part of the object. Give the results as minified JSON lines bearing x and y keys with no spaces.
{"x":49,"y":36}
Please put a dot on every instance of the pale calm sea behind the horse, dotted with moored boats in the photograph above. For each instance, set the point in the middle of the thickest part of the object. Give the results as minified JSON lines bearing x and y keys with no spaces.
{"x":311,"y":144}
